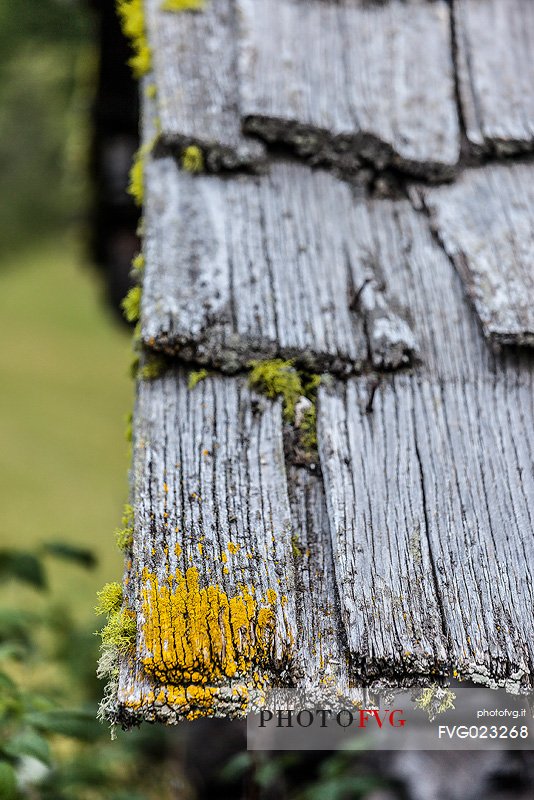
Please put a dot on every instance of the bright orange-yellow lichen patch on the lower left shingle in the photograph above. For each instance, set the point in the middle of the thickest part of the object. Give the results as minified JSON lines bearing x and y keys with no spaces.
{"x":196,"y":635}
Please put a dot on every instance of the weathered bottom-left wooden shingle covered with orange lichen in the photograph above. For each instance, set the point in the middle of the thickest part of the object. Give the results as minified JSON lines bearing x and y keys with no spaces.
{"x":212,"y":575}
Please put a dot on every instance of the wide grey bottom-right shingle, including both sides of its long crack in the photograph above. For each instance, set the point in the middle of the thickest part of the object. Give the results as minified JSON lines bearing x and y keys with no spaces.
{"x":431,"y":498}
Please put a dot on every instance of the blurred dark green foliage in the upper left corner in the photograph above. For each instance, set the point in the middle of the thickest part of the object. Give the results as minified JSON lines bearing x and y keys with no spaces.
{"x":46,"y":63}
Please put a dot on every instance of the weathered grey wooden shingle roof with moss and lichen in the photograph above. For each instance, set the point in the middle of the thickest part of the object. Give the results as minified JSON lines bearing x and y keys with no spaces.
{"x":397,"y":548}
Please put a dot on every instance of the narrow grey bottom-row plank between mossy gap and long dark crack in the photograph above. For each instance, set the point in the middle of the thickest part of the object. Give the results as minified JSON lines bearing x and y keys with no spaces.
{"x":381,"y":555}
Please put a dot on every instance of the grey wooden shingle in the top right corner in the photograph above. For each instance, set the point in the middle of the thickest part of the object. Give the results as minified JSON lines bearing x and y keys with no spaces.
{"x":494,"y":43}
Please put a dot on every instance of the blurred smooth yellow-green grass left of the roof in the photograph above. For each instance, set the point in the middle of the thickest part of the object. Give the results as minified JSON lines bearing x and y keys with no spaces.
{"x":65,"y":392}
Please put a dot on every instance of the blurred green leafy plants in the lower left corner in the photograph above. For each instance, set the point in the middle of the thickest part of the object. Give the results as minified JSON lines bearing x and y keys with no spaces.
{"x":51,"y":746}
